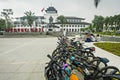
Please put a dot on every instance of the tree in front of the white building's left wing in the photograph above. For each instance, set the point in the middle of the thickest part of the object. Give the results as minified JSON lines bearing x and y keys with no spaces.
{"x":29,"y":15}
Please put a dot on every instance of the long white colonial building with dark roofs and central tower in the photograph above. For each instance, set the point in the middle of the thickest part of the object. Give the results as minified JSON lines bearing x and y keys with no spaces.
{"x":42,"y":23}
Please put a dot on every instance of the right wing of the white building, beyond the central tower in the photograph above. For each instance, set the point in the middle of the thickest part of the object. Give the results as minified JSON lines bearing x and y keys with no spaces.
{"x":74,"y":24}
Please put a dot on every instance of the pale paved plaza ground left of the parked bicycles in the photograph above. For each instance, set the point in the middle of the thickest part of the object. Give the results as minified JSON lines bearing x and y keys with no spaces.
{"x":24,"y":58}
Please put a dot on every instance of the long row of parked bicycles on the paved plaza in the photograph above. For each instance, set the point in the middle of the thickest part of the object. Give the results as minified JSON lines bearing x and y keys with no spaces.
{"x":71,"y":60}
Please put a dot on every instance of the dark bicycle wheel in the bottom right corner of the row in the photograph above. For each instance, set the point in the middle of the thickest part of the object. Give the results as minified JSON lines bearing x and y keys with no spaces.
{"x":108,"y":73}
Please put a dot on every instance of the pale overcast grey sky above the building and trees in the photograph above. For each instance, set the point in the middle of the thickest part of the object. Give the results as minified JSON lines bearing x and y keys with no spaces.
{"x":78,"y":8}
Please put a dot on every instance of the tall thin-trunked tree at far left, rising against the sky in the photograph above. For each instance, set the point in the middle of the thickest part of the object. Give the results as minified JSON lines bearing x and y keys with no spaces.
{"x":6,"y":13}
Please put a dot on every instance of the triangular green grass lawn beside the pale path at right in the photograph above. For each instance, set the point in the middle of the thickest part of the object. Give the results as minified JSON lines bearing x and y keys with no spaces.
{"x":110,"y":47}
